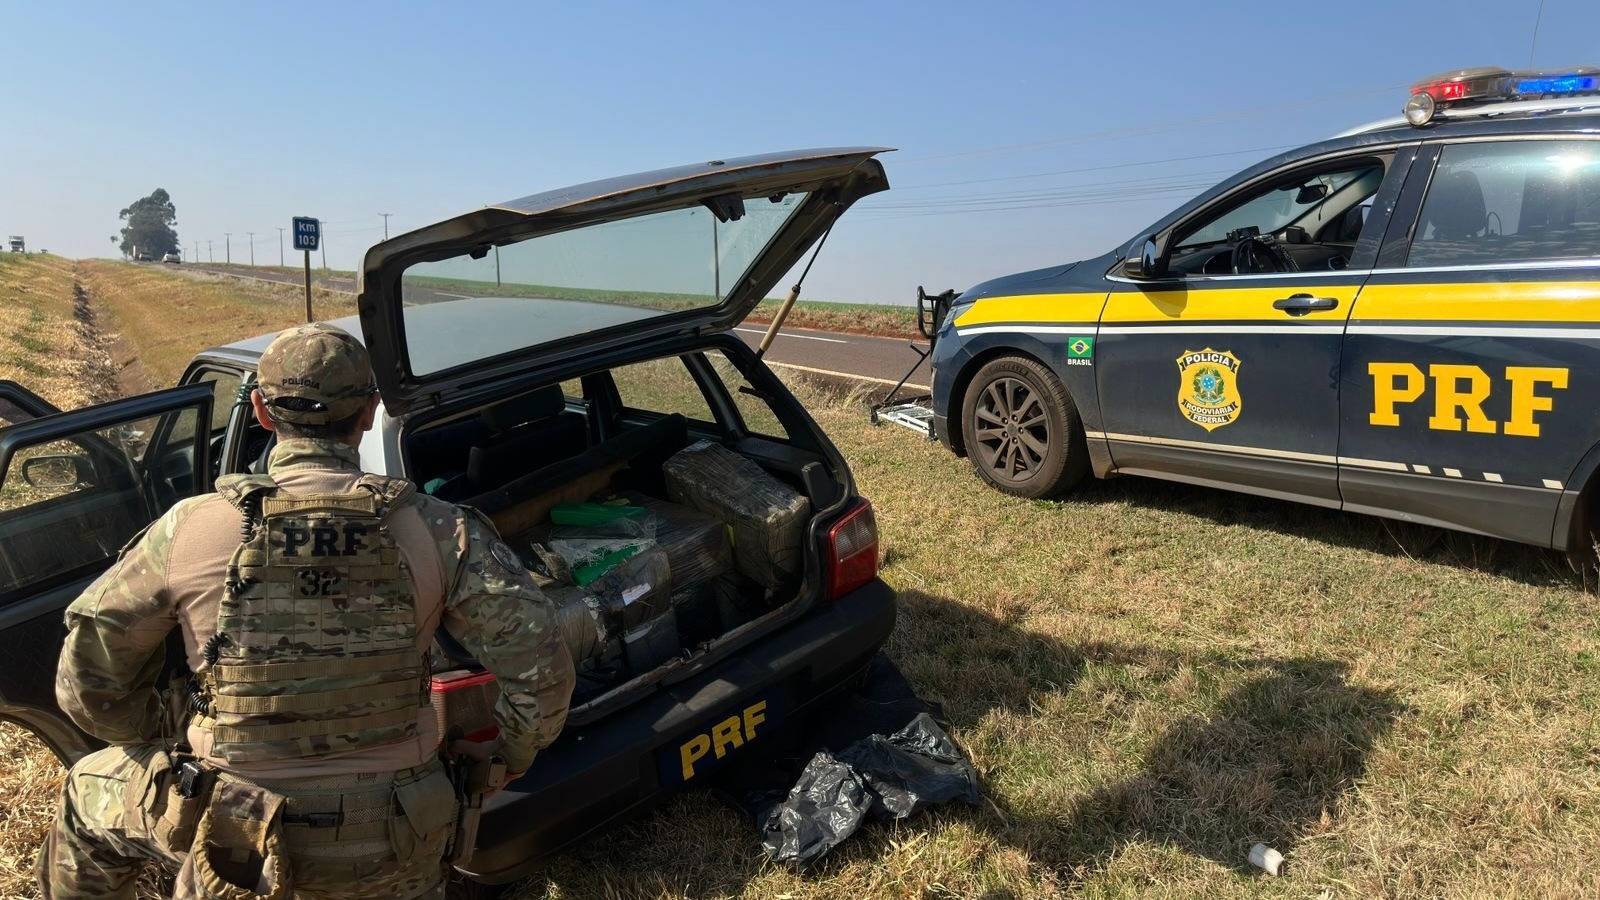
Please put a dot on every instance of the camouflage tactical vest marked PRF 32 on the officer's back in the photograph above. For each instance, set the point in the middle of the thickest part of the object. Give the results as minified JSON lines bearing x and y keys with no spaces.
{"x":316,"y":637}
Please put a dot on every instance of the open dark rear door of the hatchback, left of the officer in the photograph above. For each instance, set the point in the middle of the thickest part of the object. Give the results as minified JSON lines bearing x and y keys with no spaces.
{"x":74,"y":489}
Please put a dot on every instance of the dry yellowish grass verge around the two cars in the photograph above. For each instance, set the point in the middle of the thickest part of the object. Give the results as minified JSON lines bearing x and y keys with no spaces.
{"x":1150,"y":678}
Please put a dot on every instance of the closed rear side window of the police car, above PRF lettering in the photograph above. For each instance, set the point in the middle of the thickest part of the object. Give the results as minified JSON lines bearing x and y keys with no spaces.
{"x":1511,"y":203}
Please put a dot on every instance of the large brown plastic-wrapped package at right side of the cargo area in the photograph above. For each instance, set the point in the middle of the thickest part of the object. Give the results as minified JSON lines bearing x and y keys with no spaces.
{"x":767,"y":516}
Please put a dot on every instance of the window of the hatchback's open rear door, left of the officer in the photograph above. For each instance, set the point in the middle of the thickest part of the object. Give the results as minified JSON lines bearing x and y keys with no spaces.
{"x":71,"y":502}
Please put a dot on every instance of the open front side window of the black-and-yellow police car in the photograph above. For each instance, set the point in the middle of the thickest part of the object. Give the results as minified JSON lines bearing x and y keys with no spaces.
{"x":1316,"y":217}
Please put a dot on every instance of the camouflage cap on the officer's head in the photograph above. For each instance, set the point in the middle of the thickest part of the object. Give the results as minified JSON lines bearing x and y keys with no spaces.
{"x":314,"y":376}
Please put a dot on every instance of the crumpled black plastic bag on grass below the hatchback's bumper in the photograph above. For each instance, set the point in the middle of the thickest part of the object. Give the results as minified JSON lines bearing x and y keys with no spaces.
{"x":890,"y":777}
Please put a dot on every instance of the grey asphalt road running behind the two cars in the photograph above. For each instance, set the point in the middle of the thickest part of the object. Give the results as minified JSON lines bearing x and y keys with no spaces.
{"x":826,"y":355}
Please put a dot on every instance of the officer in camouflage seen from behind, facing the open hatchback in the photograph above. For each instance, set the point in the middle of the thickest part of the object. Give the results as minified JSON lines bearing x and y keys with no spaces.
{"x":306,"y":757}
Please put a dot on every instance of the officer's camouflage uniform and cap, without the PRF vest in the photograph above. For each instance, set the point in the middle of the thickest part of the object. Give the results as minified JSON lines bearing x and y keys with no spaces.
{"x":388,"y":798}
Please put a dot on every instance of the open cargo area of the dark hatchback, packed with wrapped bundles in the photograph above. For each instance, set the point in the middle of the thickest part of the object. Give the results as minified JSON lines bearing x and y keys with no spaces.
{"x":654,"y":534}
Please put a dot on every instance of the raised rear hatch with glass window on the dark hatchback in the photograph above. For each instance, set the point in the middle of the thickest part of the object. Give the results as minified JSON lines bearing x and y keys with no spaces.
{"x":537,"y":283}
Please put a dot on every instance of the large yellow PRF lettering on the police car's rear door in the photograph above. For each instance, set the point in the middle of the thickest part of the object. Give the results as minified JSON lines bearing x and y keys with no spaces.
{"x":1460,"y":393}
